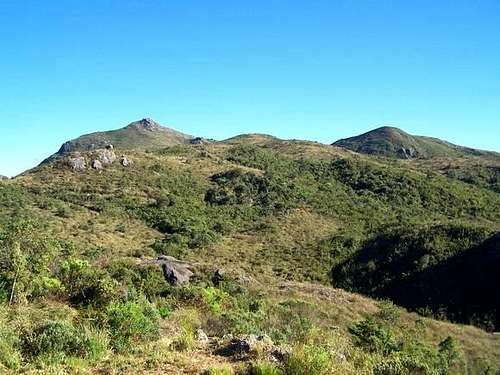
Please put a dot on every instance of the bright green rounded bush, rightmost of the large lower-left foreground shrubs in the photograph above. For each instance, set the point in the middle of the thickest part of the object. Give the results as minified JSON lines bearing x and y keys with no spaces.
{"x":131,"y":322}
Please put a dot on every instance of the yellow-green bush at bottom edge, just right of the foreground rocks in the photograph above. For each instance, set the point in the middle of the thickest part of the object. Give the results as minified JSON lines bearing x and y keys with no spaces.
{"x":309,"y":360}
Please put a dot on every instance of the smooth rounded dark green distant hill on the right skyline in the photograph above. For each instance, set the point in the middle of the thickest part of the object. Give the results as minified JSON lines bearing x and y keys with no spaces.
{"x":394,"y":142}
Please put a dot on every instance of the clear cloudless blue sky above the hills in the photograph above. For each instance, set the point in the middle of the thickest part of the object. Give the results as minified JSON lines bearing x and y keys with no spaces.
{"x":318,"y":70}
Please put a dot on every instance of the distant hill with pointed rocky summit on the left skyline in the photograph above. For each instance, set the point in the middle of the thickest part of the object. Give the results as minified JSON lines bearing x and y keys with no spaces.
{"x":142,"y":134}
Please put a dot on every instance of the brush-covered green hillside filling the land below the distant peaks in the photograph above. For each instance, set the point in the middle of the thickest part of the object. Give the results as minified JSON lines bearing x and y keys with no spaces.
{"x":230,"y":258}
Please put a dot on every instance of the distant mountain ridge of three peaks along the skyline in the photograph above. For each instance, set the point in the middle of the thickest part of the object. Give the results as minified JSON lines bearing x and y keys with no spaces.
{"x":385,"y":141}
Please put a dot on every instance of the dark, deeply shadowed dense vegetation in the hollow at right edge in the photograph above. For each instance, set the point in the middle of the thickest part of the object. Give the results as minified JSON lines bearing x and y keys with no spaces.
{"x":424,"y":268}
